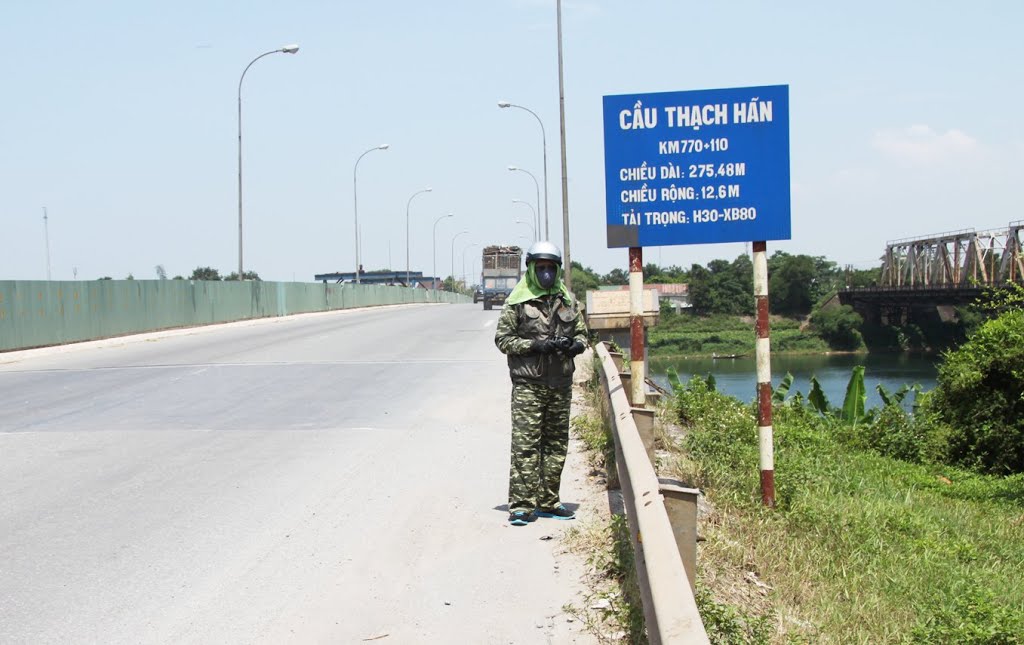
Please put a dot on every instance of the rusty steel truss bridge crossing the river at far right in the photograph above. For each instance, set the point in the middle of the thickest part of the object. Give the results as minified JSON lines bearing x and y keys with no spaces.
{"x":934,"y":274}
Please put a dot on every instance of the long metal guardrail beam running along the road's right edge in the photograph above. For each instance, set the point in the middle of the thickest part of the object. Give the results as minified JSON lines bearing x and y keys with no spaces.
{"x":670,"y":610}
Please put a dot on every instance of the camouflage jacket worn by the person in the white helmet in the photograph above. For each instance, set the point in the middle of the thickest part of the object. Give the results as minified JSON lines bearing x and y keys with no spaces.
{"x":521,"y":325}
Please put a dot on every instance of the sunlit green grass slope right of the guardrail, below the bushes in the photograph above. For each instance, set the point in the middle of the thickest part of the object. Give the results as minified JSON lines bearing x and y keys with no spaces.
{"x":862,"y":549}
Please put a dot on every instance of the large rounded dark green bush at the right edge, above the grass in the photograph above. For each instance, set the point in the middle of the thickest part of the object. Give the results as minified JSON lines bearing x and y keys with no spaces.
{"x":980,"y":394}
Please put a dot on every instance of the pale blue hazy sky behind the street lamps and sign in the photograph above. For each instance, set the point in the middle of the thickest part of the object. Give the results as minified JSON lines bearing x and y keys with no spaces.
{"x":120,"y":124}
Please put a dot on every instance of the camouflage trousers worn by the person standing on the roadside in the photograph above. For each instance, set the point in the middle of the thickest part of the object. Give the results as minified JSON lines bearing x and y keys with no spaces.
{"x":540,"y":441}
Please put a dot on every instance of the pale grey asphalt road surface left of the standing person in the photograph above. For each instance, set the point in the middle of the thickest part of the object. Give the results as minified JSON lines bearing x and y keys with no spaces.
{"x":337,"y":479}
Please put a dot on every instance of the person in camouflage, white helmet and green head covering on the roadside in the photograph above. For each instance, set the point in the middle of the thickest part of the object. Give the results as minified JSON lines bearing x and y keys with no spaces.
{"x":542,"y":331}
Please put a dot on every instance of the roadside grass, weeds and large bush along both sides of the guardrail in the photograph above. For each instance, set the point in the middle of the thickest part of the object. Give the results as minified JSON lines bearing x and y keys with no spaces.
{"x":898,"y":525}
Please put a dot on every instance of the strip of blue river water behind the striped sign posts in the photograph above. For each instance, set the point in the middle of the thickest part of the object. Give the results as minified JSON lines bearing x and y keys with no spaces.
{"x":738,"y":377}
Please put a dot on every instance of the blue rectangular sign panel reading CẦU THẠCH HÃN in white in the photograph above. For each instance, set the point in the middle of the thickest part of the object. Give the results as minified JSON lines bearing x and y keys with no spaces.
{"x":698,"y":167}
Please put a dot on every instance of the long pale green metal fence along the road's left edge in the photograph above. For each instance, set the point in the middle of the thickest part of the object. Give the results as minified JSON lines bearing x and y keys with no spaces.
{"x":37,"y":314}
